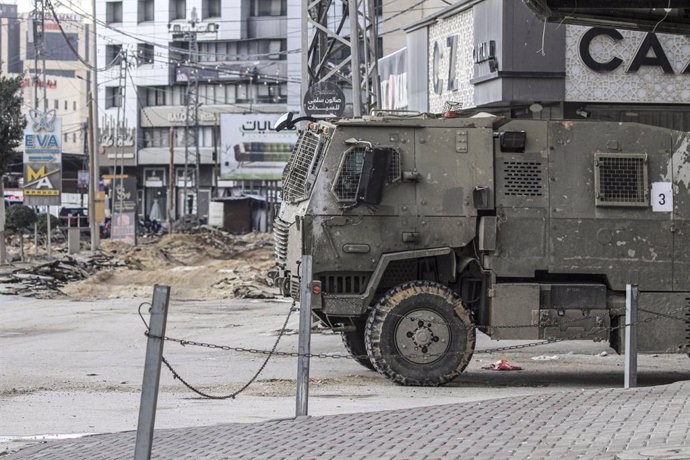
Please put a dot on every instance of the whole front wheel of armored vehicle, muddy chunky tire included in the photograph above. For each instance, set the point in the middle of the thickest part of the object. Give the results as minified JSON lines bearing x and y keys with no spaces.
{"x":420,"y":333}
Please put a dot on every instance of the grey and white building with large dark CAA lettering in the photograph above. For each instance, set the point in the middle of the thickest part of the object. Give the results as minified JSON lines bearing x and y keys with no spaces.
{"x":495,"y":55}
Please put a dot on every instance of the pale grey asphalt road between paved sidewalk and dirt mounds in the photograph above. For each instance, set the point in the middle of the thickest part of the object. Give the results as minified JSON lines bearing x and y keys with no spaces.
{"x":69,"y":368}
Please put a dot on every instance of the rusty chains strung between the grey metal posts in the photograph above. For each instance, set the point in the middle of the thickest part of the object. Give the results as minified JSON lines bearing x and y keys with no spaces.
{"x":273,"y":352}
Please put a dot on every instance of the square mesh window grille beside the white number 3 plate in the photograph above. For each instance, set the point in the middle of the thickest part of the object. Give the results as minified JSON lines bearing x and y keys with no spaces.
{"x":620,"y":179}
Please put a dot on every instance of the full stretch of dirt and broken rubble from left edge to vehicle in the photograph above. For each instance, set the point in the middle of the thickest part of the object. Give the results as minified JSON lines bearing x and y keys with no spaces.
{"x":203,"y":264}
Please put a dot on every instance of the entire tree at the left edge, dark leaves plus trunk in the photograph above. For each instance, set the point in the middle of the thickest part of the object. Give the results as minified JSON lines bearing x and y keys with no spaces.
{"x":12,"y":124}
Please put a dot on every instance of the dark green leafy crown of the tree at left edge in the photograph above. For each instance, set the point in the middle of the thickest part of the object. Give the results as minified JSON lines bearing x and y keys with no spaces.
{"x":12,"y":121}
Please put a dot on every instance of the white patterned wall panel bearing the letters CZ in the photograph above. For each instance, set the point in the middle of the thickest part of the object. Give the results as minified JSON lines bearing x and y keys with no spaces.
{"x":462,"y":25}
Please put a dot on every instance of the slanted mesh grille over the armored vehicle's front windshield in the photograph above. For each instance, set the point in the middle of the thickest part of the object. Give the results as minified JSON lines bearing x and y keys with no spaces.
{"x":301,"y":167}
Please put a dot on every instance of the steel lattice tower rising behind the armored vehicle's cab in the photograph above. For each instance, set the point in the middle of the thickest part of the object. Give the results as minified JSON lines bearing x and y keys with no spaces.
{"x":323,"y":39}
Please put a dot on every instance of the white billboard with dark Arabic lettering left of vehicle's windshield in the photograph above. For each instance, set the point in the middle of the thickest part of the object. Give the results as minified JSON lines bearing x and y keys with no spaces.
{"x":251,"y":149}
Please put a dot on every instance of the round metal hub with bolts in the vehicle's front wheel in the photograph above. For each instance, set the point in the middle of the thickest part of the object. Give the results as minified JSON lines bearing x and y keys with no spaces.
{"x":422,"y":336}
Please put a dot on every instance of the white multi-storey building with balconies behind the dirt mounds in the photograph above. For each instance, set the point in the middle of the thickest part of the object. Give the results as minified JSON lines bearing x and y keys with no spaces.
{"x":241,"y":68}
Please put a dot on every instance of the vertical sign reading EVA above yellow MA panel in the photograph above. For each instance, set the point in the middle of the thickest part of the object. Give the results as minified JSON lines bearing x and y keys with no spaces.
{"x":42,"y":159}
